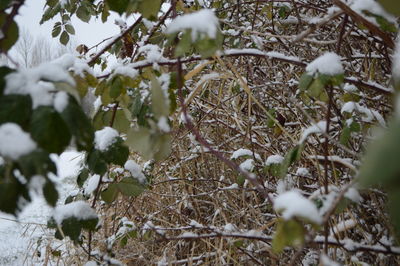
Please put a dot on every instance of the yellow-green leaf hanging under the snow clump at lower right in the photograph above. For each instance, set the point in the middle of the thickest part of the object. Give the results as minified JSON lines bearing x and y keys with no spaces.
{"x":288,"y":233}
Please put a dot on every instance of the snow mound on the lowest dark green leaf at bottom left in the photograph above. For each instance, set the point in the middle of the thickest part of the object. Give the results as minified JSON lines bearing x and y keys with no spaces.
{"x":81,"y":210}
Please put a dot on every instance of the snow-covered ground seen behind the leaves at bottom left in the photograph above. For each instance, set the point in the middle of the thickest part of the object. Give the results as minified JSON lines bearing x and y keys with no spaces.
{"x":17,"y":239}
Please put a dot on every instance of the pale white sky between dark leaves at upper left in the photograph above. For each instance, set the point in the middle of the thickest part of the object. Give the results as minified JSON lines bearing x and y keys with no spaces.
{"x":87,"y":33}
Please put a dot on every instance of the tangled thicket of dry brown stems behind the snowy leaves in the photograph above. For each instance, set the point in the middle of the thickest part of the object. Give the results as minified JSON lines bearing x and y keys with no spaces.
{"x":199,"y":210}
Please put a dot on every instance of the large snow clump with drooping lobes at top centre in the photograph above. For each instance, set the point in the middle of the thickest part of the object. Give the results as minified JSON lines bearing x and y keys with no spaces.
{"x":202,"y":22}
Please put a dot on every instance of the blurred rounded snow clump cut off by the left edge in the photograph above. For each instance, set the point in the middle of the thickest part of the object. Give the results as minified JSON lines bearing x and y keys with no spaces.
{"x":14,"y":142}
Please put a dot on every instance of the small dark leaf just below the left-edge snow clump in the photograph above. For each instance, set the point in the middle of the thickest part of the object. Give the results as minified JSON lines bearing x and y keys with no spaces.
{"x":37,"y":162}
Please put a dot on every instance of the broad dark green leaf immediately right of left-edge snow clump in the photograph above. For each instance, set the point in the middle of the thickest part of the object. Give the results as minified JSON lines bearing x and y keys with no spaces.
{"x":49,"y":130}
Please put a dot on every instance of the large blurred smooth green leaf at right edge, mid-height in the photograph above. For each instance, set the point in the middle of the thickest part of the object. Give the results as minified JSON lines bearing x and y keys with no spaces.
{"x":381,"y":164}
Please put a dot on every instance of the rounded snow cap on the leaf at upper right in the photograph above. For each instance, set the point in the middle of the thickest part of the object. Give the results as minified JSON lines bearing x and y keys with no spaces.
{"x":328,"y":64}
